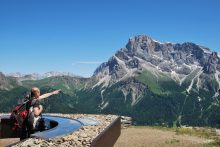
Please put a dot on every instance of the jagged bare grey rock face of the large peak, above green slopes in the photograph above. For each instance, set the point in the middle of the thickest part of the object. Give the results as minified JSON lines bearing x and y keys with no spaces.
{"x":144,"y":53}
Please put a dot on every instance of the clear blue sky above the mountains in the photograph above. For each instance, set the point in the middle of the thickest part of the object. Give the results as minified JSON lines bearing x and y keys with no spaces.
{"x":77,"y":35}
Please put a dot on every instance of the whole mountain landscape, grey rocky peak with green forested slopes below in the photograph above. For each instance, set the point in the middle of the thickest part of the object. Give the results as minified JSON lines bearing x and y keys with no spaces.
{"x":156,"y":83}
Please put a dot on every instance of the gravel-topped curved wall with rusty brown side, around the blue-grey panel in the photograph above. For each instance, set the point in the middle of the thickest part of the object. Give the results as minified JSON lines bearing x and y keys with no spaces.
{"x":105,"y":131}
